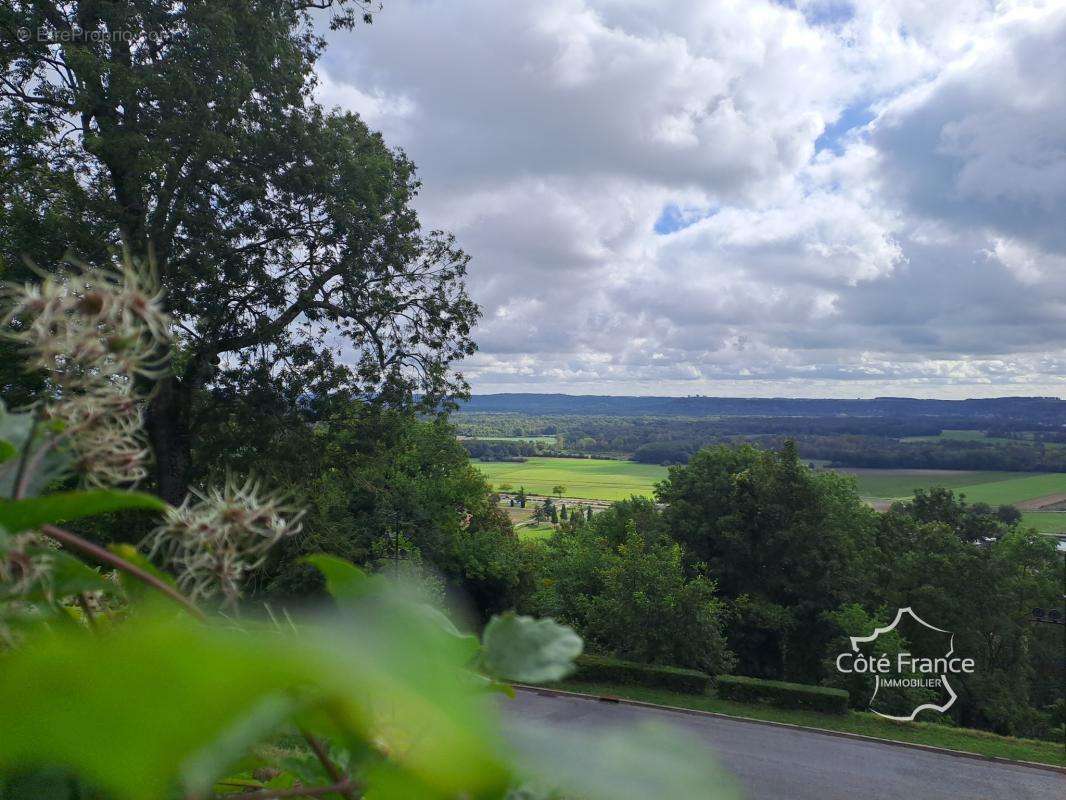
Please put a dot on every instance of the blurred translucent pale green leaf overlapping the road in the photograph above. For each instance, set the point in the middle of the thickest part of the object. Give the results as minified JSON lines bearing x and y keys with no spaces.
{"x":626,"y":763}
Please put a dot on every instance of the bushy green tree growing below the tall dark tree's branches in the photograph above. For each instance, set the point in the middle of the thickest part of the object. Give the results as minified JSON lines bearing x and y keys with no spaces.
{"x":382,"y":488}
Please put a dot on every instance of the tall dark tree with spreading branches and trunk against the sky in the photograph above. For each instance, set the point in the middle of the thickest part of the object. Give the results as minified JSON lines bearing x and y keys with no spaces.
{"x":282,"y":233}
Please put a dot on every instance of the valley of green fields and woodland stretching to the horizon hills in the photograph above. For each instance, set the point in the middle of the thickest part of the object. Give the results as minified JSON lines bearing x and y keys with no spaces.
{"x":541,"y":444}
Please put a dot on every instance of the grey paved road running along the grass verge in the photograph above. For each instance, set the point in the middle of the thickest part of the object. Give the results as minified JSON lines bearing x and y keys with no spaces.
{"x":784,"y":764}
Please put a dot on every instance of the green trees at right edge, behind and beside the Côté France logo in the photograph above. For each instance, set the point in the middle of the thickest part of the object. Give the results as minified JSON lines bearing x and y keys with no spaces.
{"x":984,"y":594}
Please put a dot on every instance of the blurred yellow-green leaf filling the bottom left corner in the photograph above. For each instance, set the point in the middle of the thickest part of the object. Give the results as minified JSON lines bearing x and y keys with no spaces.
{"x":126,"y":711}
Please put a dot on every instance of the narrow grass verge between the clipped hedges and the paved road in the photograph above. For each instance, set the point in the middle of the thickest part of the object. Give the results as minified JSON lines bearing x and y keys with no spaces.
{"x":859,"y":723}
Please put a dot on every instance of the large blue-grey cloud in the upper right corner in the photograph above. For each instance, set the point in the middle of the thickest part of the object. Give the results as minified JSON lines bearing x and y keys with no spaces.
{"x":984,"y":143}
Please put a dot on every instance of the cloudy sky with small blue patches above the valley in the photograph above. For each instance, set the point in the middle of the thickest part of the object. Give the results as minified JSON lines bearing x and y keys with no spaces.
{"x":748,"y":198}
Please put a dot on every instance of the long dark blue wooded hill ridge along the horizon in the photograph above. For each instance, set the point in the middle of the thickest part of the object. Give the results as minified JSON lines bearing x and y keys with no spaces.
{"x":1043,"y":410}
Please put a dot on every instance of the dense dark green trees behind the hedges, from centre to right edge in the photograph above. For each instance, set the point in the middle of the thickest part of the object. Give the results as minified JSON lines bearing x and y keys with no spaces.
{"x":802,"y":563}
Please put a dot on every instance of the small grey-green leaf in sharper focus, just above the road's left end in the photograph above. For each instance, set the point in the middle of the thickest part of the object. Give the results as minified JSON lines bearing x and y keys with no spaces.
{"x":528,"y":650}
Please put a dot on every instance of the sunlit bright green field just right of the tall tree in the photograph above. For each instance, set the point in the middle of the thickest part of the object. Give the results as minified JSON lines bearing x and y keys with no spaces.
{"x":594,"y":479}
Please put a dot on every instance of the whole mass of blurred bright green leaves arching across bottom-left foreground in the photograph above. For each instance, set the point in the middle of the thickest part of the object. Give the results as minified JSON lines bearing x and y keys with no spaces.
{"x":135,"y":712}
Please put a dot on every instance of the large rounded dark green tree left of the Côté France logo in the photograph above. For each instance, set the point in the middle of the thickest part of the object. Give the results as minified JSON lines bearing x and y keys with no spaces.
{"x":785,"y":545}
